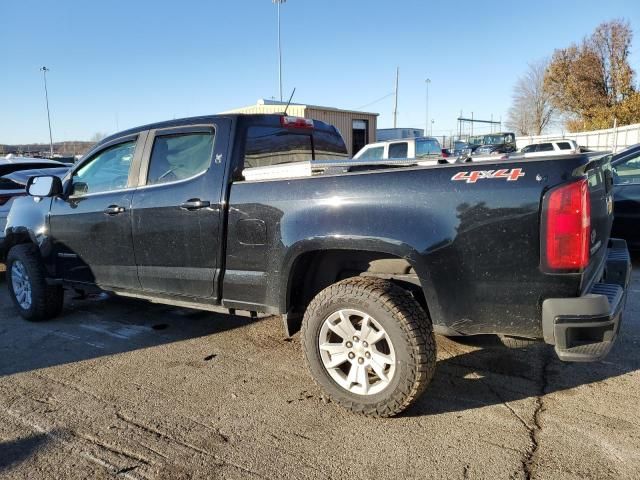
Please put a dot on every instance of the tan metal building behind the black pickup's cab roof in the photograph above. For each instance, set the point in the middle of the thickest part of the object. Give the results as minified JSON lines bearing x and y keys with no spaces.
{"x":357,"y":128}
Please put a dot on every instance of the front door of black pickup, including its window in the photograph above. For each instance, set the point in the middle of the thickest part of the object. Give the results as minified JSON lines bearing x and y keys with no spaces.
{"x":91,"y":225}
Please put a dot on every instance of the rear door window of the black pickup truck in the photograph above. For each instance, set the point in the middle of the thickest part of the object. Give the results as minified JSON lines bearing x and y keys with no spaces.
{"x":180,"y":156}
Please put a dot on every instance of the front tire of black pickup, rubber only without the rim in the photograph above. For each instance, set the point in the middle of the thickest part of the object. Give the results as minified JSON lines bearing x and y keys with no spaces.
{"x":46,"y":300}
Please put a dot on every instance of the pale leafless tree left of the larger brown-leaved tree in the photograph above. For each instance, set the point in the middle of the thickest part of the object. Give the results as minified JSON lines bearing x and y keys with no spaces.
{"x":531,"y":111}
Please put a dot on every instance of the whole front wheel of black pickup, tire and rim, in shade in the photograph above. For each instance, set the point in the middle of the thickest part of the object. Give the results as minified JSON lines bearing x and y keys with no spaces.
{"x":28,"y":287}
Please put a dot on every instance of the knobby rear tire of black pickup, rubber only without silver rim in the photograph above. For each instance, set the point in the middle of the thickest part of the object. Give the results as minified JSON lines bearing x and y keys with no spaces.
{"x":408,"y":327}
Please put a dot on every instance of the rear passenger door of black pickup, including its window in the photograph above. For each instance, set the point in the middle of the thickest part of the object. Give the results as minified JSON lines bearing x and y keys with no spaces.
{"x":176,"y":210}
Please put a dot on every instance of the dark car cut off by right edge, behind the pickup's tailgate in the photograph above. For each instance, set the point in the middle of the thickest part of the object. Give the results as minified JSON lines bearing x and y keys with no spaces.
{"x":626,"y":179}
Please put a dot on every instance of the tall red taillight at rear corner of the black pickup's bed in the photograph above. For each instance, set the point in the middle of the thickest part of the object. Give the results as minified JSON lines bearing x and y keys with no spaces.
{"x":567,"y":227}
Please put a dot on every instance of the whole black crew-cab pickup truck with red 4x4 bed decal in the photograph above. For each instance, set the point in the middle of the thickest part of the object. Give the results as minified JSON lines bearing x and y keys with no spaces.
{"x":263,"y":214}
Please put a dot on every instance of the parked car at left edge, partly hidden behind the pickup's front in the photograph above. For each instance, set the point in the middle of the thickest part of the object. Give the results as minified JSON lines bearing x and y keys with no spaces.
{"x":10,"y":188}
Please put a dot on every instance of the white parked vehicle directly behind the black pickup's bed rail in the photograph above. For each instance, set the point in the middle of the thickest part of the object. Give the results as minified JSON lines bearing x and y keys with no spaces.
{"x":427,"y":149}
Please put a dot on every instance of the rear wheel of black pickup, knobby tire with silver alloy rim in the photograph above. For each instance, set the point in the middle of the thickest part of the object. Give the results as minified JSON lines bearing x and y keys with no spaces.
{"x":369,"y":345}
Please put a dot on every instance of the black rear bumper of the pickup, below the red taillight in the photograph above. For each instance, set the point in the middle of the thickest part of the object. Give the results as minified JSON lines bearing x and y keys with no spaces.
{"x":584,"y":329}
